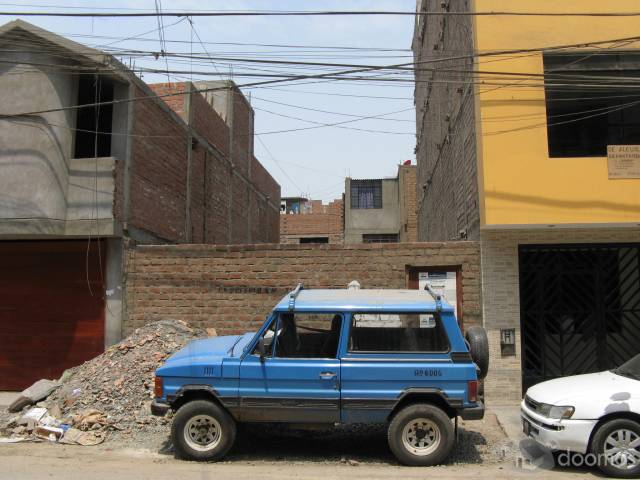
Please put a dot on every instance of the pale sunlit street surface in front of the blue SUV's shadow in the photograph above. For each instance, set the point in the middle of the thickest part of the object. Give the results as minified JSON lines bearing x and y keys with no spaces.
{"x":42,"y":461}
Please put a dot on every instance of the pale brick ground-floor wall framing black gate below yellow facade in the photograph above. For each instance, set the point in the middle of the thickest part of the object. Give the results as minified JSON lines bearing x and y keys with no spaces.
{"x":501,"y":294}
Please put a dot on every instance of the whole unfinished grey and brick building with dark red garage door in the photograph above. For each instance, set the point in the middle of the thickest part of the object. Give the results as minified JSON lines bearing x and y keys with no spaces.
{"x":91,"y":161}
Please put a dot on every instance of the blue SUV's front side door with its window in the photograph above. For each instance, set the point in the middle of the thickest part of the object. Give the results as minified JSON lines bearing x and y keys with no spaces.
{"x":298,"y":379}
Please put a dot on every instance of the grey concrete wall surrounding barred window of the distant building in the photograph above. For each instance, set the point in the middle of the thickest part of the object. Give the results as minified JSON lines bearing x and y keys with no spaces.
{"x":372,"y":220}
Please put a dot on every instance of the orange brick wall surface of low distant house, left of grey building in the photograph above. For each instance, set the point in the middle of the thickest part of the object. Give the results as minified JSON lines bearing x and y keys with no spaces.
{"x":321,"y":221}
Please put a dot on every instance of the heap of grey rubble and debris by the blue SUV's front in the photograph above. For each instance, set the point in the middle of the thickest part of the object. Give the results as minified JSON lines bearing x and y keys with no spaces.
{"x":110,"y":393}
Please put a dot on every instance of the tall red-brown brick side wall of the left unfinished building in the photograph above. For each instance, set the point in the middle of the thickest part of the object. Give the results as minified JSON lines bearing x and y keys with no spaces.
{"x":229,"y":202}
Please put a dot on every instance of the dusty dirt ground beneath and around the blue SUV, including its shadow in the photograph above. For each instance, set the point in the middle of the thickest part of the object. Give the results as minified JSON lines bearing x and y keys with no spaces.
{"x":273,"y":453}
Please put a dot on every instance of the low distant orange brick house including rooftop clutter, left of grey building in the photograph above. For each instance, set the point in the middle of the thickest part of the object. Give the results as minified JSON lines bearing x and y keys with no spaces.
{"x":311,"y":221}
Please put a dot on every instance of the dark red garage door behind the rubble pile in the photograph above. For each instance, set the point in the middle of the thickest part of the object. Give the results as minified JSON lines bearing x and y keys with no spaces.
{"x":51,"y":318}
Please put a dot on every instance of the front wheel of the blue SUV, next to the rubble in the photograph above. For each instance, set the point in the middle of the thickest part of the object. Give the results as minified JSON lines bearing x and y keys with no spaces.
{"x":202,"y":430}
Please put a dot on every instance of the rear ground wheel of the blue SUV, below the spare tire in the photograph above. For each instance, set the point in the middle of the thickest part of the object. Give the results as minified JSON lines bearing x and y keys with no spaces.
{"x":421,"y":435}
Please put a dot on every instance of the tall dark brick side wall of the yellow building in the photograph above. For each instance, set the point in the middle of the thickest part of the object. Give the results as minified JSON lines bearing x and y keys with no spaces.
{"x":446,"y":143}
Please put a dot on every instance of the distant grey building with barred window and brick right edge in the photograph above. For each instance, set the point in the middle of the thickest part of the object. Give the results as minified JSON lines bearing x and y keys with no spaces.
{"x":381,"y":210}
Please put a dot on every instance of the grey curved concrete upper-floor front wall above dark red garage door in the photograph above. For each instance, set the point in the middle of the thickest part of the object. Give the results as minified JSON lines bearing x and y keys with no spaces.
{"x":42,"y":190}
